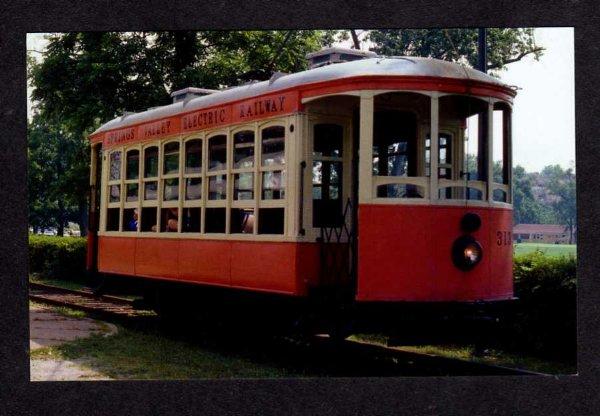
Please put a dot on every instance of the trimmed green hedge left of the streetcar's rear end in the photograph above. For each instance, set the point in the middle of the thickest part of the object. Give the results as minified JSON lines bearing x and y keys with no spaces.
{"x":57,"y":257}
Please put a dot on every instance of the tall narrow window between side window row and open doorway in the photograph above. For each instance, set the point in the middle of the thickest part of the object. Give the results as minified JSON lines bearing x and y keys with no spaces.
{"x":327,"y":177}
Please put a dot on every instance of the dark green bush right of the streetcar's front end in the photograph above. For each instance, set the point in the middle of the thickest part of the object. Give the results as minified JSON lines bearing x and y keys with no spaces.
{"x":544,"y":319}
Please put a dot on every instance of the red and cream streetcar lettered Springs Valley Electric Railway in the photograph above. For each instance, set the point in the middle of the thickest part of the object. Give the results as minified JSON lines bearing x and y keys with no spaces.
{"x":364,"y":180}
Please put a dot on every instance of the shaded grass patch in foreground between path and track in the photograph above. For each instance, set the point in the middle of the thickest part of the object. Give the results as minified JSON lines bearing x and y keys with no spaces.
{"x":138,"y":355}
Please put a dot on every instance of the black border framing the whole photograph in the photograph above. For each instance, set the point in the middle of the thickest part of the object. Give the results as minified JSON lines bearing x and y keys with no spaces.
{"x":563,"y":395}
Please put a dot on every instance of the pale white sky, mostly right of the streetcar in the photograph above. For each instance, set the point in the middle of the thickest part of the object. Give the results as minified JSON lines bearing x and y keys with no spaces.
{"x":544,"y":109}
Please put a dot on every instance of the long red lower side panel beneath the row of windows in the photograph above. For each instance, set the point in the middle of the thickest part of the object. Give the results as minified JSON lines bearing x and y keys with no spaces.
{"x":280,"y":267}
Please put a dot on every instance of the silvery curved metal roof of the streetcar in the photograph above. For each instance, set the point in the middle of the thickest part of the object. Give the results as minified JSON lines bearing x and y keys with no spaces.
{"x":380,"y":66}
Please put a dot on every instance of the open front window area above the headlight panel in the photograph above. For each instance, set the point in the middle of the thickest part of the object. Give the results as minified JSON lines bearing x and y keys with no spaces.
{"x":468,"y":161}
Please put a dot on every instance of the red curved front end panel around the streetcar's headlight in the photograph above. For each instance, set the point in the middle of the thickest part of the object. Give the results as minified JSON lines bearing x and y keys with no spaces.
{"x":404,"y":254}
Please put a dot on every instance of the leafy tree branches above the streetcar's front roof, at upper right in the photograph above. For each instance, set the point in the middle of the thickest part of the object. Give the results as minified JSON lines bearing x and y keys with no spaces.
{"x":458,"y":45}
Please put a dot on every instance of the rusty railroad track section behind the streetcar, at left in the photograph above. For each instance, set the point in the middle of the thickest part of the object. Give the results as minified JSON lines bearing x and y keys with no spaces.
{"x":84,"y":300}
